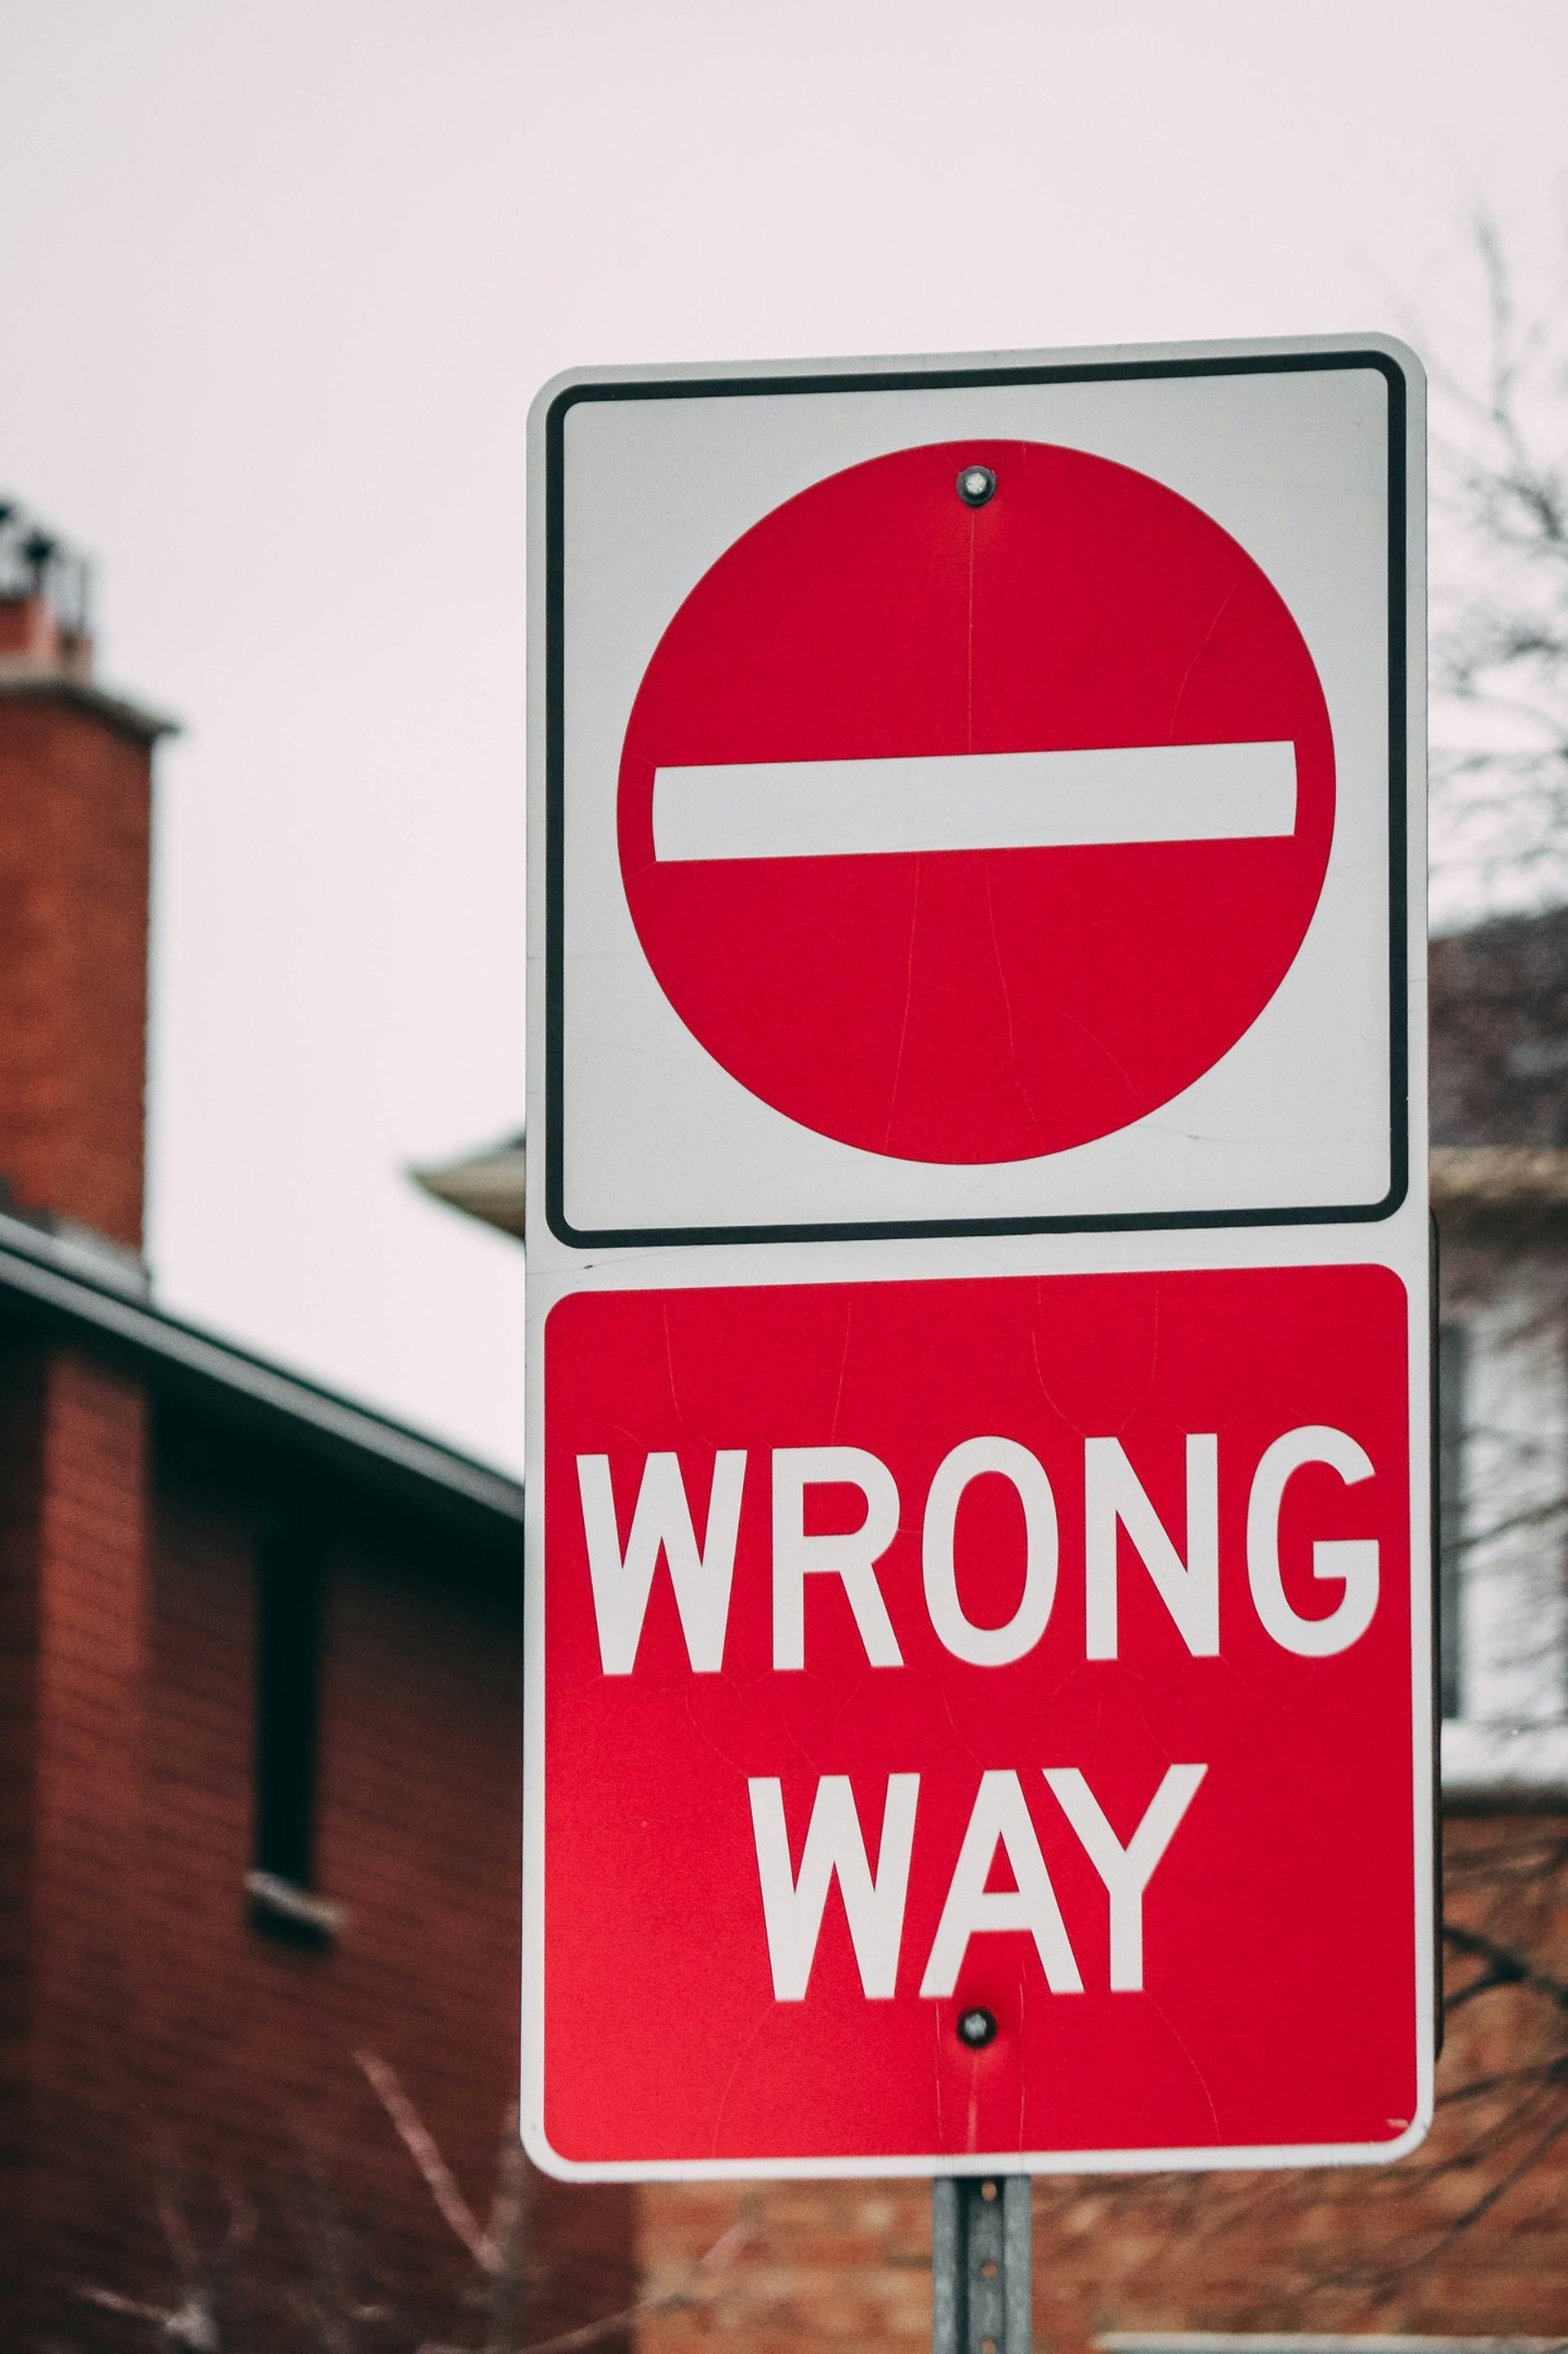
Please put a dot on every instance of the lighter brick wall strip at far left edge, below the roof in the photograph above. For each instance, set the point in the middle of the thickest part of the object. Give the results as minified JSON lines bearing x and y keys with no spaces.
{"x":77,"y":1571}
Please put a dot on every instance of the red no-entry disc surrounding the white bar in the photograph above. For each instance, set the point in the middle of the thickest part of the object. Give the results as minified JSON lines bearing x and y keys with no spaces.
{"x":976,"y":1004}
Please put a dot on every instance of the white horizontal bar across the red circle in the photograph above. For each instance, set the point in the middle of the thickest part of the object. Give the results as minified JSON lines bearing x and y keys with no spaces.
{"x":976,"y":802}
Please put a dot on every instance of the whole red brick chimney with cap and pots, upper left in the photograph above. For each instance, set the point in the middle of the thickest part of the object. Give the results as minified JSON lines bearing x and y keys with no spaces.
{"x":74,"y":905}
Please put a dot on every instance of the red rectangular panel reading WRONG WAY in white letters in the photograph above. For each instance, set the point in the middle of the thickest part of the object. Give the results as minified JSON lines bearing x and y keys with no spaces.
{"x":978,"y":1722}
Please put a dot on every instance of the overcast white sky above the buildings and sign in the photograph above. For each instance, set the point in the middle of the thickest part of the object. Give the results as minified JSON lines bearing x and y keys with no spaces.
{"x":279,"y":281}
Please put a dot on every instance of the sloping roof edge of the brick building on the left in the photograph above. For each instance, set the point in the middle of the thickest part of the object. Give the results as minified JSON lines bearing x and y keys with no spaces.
{"x":65,"y":1284}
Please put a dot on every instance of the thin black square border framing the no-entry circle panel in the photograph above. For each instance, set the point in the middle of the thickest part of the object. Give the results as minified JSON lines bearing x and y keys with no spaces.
{"x":554,"y":806}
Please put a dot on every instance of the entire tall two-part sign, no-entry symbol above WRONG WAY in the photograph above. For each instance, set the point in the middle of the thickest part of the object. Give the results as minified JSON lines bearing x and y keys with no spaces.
{"x":978,"y":1618}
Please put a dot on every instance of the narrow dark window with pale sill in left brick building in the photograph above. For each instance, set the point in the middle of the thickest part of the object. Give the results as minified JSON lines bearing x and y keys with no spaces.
{"x":291,"y":1614}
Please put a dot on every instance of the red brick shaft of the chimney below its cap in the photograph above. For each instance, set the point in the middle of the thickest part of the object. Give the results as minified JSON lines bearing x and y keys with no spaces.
{"x":74,"y":879}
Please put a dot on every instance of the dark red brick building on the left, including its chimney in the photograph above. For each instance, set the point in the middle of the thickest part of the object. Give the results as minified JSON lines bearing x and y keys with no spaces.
{"x":258,"y":1715}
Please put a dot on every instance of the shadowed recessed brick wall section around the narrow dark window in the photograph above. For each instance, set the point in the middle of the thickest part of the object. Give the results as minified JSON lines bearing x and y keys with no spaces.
{"x":251,"y":2044}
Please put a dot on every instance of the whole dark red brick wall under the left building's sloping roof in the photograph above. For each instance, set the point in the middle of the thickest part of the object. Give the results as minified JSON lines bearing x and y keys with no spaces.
{"x":180,"y":2101}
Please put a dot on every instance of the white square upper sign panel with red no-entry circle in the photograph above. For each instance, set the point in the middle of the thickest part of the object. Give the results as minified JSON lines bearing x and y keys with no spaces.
{"x":919,"y":865}
